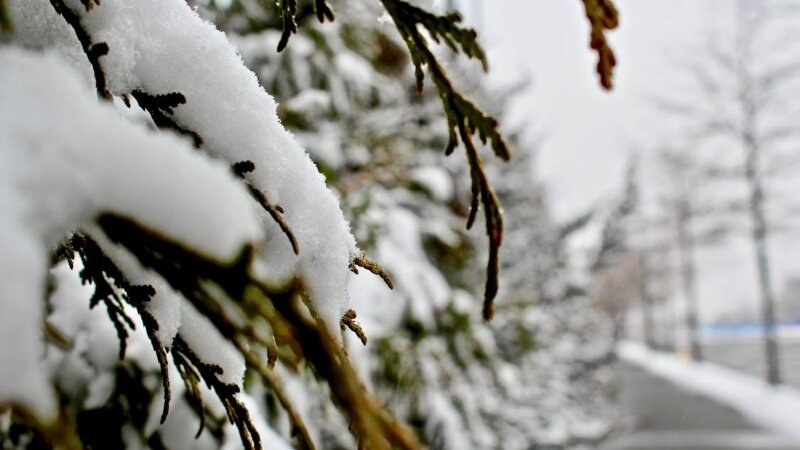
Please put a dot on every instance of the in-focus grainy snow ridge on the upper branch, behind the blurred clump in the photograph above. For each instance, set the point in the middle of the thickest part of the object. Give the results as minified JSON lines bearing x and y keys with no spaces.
{"x":163,"y":46}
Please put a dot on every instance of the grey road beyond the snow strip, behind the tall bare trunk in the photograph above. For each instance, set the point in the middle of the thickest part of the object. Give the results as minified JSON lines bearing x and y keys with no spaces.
{"x":747,"y":355}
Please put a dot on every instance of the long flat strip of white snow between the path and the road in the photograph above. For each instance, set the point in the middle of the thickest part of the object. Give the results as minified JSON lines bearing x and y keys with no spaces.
{"x":773,"y":407}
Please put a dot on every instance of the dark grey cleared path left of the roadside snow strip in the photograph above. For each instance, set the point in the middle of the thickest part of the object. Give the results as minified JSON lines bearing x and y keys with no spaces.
{"x":666,"y":417}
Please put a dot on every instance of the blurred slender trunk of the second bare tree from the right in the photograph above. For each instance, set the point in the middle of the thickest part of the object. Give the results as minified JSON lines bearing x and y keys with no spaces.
{"x":688,"y":275}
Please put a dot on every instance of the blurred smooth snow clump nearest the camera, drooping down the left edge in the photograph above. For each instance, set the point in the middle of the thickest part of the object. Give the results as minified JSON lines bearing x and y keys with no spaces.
{"x":64,"y":159}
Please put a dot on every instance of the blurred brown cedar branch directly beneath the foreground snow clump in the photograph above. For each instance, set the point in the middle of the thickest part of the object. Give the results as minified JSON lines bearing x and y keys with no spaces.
{"x":217,"y":291}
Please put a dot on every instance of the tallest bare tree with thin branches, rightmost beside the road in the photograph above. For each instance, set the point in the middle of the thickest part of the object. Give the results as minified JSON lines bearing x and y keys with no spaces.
{"x":745,"y":87}
